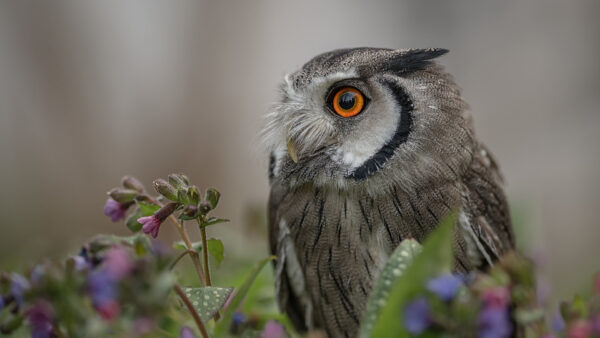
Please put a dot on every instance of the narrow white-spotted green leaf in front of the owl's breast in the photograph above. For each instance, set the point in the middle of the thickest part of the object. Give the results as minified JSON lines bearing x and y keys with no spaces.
{"x":394,"y":268}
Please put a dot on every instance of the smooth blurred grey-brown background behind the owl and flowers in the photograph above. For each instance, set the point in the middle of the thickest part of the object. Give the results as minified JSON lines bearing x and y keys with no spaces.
{"x":91,"y":91}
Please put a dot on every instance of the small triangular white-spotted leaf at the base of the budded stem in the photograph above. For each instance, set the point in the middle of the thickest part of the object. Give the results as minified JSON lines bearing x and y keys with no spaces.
{"x":207,"y":300}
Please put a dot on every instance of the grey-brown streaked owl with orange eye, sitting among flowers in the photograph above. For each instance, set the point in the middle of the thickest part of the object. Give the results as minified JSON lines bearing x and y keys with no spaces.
{"x":368,"y":147}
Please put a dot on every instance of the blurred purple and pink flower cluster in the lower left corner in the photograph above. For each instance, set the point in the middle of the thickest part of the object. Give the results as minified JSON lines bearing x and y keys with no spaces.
{"x":108,"y":276}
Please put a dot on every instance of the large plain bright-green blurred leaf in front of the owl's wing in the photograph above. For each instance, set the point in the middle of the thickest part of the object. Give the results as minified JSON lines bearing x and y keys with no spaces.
{"x":435,"y":259}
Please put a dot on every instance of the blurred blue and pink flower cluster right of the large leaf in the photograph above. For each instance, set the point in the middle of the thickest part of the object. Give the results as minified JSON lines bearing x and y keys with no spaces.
{"x":497,"y":304}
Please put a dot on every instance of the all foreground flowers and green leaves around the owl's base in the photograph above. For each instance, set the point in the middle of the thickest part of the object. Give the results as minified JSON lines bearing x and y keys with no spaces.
{"x":127,"y":287}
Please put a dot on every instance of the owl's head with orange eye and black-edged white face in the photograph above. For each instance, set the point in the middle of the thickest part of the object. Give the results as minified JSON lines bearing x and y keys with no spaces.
{"x":365,"y":116}
